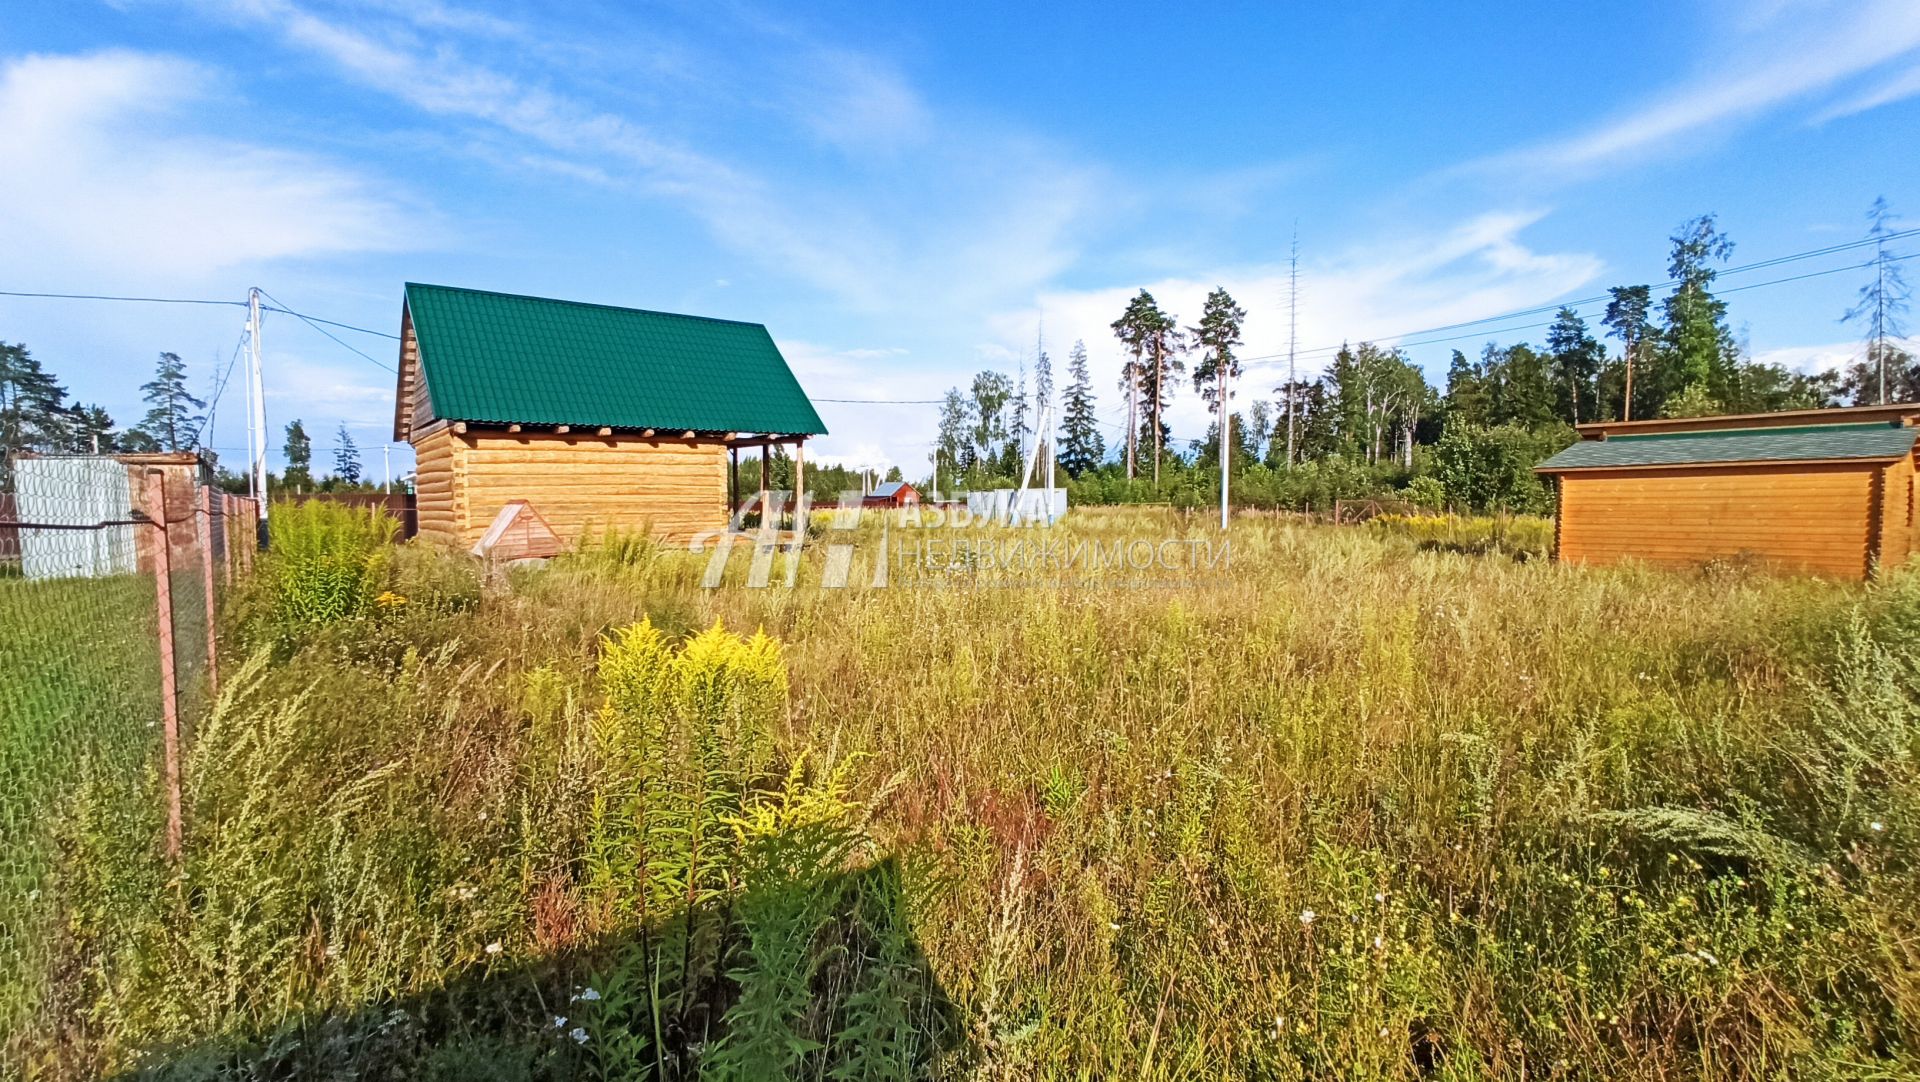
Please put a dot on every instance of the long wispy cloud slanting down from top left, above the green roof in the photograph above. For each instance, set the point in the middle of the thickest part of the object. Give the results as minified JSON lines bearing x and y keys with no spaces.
{"x":996,"y":220}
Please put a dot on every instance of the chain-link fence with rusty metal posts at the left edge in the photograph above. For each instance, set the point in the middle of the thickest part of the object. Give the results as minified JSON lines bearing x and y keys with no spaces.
{"x":112,"y":571}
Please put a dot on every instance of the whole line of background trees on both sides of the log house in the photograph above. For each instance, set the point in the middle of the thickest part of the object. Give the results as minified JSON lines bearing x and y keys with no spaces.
{"x":1370,"y":427}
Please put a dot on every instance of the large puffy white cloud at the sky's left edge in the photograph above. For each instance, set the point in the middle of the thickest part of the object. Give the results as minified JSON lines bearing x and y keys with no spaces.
{"x":107,"y":176}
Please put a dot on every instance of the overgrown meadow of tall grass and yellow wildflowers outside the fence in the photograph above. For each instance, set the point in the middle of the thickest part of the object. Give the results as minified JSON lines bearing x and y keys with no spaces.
{"x":1351,"y":807}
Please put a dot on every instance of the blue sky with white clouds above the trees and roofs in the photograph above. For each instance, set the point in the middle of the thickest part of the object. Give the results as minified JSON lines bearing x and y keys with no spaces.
{"x":907,"y":195}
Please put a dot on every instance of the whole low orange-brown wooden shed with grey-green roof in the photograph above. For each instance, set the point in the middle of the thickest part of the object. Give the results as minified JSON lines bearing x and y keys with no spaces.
{"x":1825,"y":490}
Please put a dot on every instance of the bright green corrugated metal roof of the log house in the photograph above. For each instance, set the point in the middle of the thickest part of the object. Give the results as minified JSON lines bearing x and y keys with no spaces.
{"x":510,"y":360}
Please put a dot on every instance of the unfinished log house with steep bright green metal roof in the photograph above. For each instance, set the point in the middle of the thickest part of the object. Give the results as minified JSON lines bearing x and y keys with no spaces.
{"x":598,"y":417}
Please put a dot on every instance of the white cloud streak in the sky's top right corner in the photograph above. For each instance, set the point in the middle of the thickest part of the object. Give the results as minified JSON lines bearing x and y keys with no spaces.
{"x":1788,"y":55}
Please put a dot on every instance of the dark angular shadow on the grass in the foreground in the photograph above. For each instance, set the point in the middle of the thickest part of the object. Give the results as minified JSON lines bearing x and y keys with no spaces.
{"x":708,"y":995}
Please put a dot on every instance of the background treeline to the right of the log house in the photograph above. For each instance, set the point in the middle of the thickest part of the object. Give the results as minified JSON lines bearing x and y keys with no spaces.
{"x":1374,"y":427}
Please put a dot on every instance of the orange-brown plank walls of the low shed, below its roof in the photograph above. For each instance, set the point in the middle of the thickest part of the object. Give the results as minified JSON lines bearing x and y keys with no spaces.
{"x":1802,"y":517}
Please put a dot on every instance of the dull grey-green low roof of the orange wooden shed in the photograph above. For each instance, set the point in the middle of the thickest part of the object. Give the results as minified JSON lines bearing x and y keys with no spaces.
{"x":1813,"y":442}
